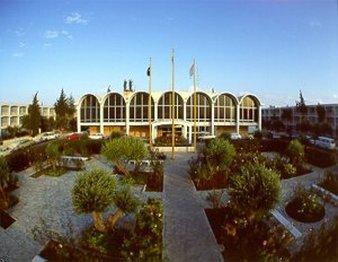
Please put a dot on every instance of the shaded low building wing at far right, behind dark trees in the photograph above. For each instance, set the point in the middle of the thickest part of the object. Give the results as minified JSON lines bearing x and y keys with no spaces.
{"x":331,"y":115}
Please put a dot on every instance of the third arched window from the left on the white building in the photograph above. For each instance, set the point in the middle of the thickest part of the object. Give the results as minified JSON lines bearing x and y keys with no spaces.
{"x":139,"y":107}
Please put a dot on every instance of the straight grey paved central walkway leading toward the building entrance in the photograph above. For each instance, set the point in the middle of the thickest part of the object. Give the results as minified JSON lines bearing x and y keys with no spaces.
{"x":187,"y":233}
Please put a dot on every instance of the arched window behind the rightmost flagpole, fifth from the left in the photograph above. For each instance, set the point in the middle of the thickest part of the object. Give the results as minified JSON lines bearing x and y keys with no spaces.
{"x":203,"y":107}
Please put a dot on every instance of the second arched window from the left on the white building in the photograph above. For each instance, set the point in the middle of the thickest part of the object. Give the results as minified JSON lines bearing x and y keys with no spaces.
{"x":114,"y":109}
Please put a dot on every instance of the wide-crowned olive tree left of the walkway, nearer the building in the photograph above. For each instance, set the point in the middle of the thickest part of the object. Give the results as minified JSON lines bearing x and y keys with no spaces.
{"x":121,"y":150}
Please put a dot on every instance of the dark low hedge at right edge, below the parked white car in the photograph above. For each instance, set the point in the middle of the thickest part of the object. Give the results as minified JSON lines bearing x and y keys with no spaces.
{"x":319,"y":157}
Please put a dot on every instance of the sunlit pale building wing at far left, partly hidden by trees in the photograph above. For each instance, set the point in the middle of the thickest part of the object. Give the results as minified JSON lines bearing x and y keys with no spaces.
{"x":11,"y":115}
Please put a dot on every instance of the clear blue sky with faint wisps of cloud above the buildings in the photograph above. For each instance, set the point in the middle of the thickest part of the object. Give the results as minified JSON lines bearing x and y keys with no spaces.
{"x":271,"y":48}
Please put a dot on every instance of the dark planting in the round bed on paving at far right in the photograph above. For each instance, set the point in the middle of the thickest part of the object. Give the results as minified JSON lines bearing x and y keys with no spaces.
{"x":305,"y":206}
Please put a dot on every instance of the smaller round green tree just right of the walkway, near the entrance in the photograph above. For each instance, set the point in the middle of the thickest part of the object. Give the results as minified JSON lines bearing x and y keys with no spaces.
{"x":220,"y":153}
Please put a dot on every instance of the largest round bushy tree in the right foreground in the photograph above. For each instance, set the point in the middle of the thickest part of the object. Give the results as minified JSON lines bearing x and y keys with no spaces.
{"x":255,"y":190}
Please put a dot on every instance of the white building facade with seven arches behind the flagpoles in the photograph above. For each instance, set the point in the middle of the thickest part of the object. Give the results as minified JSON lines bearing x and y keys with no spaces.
{"x":128,"y":113}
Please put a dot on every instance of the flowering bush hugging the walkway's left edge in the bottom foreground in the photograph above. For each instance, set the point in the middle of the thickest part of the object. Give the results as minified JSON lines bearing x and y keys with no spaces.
{"x":145,"y":244}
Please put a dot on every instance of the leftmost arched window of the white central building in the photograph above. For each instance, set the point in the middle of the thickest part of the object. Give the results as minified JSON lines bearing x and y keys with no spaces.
{"x":90,"y":110}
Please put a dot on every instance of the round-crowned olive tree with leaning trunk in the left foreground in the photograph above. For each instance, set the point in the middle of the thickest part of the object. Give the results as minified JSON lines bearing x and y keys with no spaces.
{"x":93,"y":192}
